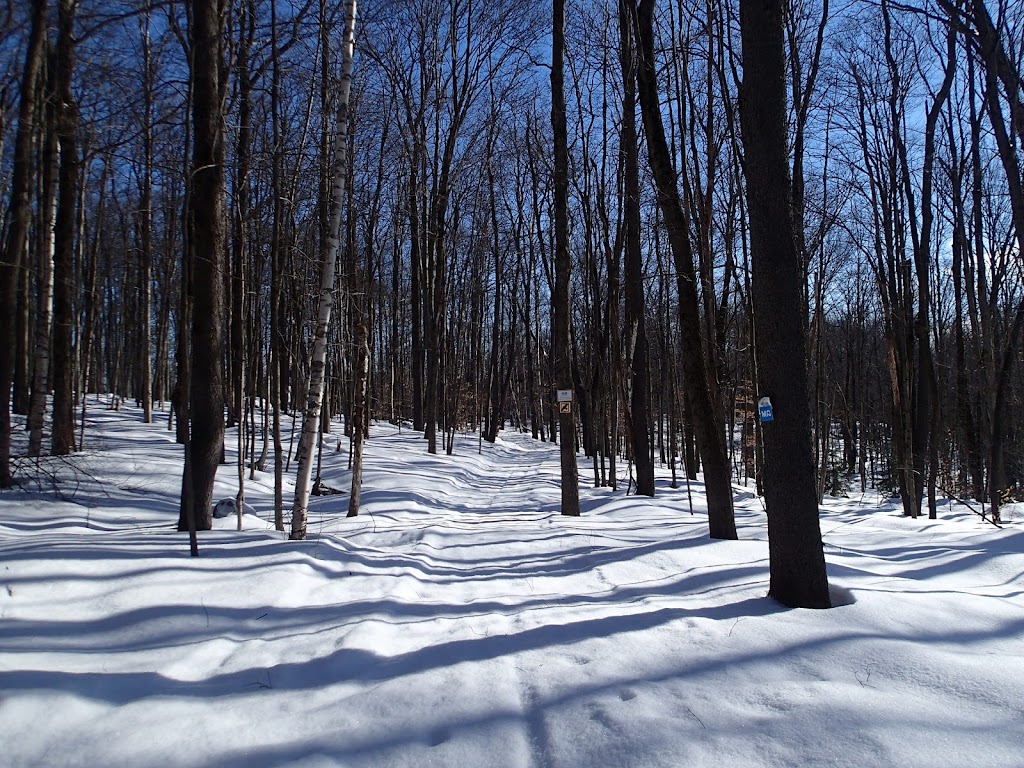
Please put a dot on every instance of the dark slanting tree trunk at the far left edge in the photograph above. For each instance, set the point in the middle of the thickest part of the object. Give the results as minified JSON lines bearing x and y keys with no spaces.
{"x":18,"y":226}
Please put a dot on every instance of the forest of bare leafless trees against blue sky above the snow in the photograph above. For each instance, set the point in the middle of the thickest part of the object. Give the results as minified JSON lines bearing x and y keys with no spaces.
{"x":511,"y":224}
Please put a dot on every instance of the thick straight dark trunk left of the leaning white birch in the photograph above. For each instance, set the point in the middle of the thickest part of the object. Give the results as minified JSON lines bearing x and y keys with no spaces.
{"x":207,"y":241}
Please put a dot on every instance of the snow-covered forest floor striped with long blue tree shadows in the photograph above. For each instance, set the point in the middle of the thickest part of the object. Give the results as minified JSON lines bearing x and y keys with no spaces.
{"x":460,"y":621}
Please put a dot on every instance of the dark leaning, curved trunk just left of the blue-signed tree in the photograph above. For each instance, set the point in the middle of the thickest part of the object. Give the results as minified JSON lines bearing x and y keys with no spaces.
{"x":709,"y":431}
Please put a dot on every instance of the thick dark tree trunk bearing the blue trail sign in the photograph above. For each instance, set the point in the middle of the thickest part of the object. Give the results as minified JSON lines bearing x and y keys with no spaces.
{"x":796,"y":557}
